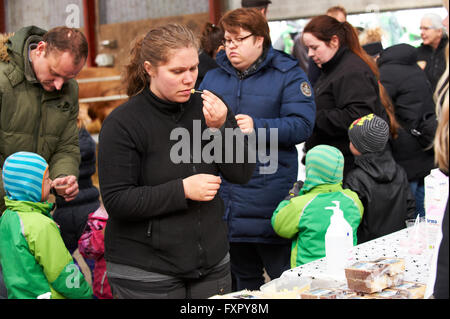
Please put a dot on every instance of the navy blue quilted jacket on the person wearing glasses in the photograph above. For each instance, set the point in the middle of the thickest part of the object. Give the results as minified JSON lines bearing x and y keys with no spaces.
{"x":277,"y":95}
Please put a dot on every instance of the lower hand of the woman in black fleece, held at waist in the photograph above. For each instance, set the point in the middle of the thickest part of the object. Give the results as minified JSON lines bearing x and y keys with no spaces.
{"x":201,"y":187}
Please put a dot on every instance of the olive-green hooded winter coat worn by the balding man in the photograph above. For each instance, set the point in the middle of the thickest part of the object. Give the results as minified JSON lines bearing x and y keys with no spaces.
{"x":32,"y":119}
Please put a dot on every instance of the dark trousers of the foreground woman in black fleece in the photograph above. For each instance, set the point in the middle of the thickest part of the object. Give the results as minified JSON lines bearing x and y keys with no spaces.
{"x":217,"y":282}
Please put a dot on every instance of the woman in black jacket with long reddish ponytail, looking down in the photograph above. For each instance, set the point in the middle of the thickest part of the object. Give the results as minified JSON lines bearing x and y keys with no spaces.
{"x":347,"y":88}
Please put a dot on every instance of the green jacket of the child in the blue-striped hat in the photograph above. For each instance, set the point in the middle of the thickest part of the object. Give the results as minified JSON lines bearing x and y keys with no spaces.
{"x":33,"y":256}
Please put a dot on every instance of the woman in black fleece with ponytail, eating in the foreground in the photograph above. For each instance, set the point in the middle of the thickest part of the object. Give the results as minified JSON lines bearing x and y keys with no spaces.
{"x":159,"y":175}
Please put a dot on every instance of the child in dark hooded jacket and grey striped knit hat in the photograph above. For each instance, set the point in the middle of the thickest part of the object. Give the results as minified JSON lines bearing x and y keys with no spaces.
{"x":381,"y":184}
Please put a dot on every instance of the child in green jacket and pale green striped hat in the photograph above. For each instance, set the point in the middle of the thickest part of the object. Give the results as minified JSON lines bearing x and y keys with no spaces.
{"x":302,"y":215}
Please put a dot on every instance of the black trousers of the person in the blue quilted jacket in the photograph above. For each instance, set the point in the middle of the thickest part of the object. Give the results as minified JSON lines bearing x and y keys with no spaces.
{"x":248,"y":261}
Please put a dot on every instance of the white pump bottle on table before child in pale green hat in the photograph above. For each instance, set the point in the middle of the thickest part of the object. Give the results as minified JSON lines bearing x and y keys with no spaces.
{"x":338,"y":243}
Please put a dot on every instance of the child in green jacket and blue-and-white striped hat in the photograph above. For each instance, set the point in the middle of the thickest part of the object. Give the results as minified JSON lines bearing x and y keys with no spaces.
{"x":34,"y":260}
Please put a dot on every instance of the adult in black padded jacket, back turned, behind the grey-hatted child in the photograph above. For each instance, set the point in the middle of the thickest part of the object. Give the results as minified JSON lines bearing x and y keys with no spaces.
{"x":412,"y":97}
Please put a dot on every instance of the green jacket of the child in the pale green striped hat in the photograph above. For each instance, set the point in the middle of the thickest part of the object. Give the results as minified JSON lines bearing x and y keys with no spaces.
{"x":305,"y":220}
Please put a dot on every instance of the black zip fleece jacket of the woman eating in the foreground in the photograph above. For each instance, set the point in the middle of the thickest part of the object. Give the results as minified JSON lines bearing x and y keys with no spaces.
{"x":151,"y":225}
